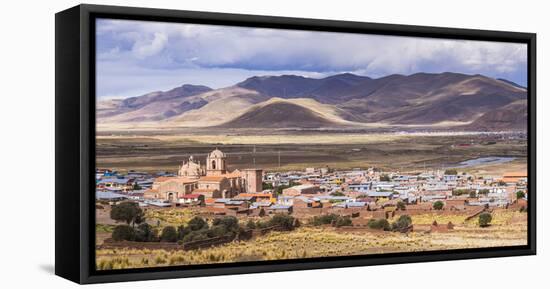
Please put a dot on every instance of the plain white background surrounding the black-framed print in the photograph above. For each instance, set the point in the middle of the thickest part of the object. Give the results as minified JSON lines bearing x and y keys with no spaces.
{"x":27,"y":143}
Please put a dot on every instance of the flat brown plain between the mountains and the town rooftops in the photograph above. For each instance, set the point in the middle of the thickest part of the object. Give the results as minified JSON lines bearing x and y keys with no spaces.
{"x":295,"y":152}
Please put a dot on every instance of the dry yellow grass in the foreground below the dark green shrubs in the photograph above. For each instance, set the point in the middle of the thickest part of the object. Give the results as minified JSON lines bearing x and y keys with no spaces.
{"x":509,"y":228}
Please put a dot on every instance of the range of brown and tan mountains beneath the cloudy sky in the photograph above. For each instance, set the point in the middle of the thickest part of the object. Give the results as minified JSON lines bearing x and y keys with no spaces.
{"x":426,"y":100}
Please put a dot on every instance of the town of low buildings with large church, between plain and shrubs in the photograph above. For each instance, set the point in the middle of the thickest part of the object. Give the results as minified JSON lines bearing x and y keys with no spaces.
{"x":214,"y":188}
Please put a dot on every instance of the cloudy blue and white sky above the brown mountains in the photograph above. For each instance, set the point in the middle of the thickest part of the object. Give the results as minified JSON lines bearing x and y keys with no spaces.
{"x":138,"y":57}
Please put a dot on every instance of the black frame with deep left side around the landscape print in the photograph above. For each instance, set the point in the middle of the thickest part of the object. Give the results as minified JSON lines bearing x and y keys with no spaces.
{"x":75,"y":142}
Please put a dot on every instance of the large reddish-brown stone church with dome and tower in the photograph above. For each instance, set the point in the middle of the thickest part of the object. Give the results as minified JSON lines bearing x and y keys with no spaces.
{"x":212,"y":180}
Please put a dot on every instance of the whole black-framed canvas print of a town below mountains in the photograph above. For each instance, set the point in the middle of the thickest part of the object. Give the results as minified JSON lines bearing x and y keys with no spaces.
{"x":195,"y":144}
